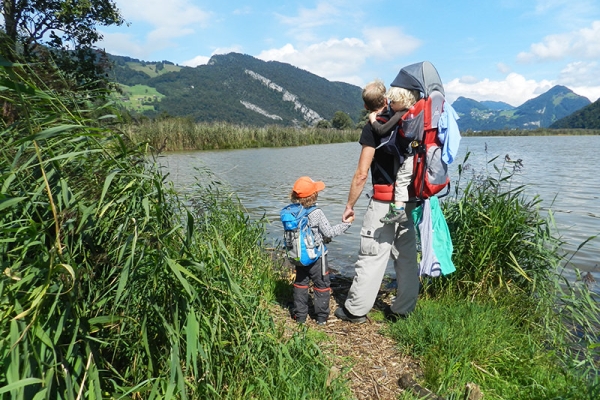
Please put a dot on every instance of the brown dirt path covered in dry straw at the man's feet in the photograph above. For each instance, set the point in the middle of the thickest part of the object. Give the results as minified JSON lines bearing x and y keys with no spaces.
{"x":377,"y":368}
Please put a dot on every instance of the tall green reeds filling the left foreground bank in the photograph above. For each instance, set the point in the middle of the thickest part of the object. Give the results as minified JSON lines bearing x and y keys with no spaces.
{"x":112,"y":288}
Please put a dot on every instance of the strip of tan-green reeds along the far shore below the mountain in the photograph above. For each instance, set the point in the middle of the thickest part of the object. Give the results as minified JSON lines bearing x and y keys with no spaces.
{"x":174,"y":134}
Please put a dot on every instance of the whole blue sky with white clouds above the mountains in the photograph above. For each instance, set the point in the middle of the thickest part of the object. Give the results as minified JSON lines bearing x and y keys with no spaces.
{"x":503,"y":50}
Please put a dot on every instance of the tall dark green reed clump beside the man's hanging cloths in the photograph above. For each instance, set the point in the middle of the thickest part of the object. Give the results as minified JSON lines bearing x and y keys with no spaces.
{"x":503,"y":245}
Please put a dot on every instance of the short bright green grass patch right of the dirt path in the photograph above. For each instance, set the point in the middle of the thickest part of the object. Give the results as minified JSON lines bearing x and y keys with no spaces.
{"x":460,"y":341}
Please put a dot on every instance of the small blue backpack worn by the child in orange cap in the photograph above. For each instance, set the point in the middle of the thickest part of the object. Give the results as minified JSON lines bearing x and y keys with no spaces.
{"x":298,"y":238}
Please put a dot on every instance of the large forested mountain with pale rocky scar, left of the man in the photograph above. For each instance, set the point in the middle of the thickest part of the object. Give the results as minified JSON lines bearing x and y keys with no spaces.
{"x":240,"y":89}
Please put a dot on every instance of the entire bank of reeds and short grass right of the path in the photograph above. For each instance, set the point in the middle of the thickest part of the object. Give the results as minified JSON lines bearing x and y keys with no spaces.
{"x":506,"y":320}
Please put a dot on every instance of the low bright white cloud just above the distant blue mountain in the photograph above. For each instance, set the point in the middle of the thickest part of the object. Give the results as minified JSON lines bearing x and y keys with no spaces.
{"x":514,"y":90}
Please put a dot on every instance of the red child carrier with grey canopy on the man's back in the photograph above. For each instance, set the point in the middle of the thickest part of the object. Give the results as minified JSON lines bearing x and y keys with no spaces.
{"x":420,"y":124}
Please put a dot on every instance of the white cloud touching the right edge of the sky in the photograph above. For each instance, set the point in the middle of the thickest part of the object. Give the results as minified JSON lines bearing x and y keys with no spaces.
{"x":584,"y":43}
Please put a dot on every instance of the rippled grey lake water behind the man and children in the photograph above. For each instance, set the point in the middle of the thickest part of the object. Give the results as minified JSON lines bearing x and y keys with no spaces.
{"x":562,"y":170}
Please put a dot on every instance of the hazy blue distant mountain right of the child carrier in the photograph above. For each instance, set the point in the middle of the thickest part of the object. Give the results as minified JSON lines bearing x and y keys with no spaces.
{"x":539,"y":112}
